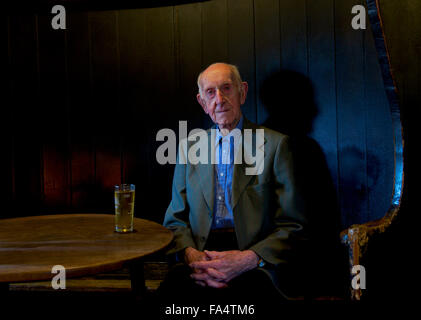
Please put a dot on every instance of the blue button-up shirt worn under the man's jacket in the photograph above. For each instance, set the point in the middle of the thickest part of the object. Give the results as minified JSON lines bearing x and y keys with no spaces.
{"x":225,"y":147}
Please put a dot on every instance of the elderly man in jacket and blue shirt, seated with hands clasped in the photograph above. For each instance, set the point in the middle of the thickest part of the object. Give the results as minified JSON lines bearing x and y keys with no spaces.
{"x":235,"y":235}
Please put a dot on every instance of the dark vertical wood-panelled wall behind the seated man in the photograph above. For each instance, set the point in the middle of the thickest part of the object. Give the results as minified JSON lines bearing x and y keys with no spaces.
{"x":123,"y":75}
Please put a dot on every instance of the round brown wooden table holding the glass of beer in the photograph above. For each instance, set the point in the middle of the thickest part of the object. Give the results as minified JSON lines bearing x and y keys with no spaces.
{"x":83,"y":244}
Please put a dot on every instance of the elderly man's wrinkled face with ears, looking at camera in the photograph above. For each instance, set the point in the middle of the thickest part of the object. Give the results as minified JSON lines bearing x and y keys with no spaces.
{"x":221,"y":98}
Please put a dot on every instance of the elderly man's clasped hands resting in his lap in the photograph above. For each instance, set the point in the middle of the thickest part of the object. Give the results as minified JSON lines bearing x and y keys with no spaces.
{"x":216,"y":268}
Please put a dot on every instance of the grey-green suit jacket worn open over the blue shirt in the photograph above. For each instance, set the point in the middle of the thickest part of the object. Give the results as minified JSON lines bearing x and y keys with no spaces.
{"x":269,"y":215}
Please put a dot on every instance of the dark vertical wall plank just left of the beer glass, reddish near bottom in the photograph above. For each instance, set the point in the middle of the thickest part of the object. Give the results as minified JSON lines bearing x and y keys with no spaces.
{"x":106,"y":105}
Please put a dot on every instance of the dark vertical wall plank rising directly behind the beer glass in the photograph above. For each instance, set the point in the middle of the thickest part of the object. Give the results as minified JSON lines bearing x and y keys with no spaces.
{"x":133,"y":90}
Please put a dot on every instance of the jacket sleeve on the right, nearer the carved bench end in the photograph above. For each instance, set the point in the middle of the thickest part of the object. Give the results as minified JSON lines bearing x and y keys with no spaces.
{"x":287,"y":235}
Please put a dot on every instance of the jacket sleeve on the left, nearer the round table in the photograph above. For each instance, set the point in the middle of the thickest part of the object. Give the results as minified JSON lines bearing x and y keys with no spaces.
{"x":177,"y":215}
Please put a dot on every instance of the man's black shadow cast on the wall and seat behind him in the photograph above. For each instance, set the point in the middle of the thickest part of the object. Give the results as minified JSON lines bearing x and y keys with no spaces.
{"x":289,"y":99}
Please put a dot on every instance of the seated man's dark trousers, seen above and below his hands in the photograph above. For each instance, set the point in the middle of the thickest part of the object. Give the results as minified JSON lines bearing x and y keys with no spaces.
{"x":253,"y":288}
